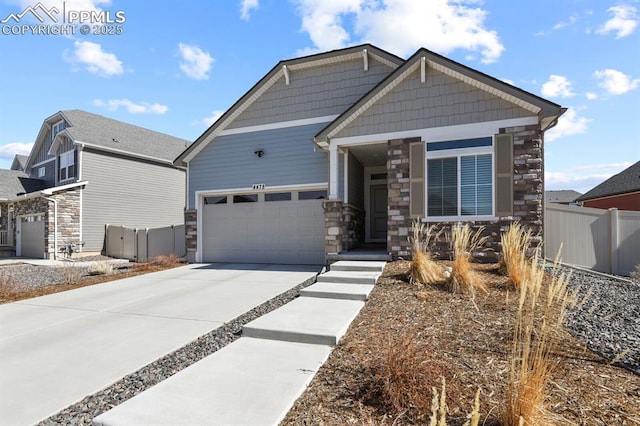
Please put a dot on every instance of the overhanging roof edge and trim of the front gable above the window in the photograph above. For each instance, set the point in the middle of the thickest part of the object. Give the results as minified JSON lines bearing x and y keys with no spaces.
{"x":546,"y":110}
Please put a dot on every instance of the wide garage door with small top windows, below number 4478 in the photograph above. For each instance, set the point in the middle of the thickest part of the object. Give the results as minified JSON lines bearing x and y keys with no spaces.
{"x":269,"y":228}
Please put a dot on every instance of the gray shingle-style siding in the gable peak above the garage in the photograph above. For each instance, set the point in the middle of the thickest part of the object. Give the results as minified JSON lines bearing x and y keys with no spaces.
{"x":313,"y":92}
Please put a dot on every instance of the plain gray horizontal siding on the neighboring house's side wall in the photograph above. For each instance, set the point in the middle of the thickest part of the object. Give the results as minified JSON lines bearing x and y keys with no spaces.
{"x":129,"y":193}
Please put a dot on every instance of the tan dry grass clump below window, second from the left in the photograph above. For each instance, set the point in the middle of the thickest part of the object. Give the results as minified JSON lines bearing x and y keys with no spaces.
{"x":464,"y":242}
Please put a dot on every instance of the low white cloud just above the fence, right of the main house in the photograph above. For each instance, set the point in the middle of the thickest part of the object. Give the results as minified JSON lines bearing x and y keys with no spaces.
{"x":582,"y":178}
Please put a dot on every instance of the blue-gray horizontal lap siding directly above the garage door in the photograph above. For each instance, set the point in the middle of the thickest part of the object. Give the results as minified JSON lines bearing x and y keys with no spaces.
{"x":229,"y":161}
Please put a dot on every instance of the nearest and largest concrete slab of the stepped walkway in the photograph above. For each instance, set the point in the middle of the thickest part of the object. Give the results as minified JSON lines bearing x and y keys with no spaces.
{"x":249,"y":382}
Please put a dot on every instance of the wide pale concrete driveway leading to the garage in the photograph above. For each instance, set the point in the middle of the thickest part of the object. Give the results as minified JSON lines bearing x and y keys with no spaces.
{"x":56,"y":349}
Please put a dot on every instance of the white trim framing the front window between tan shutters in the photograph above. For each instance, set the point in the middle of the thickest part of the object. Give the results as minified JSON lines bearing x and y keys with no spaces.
{"x":457,"y":153}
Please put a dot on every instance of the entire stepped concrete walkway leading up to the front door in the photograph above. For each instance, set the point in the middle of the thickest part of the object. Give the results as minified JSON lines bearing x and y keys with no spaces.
{"x":256,"y":379}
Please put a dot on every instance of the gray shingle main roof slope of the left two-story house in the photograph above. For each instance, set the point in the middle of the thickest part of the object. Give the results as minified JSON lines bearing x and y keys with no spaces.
{"x":111,"y":134}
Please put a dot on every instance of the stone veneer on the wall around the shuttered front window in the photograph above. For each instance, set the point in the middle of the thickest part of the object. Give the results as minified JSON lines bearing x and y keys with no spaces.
{"x":528,"y":188}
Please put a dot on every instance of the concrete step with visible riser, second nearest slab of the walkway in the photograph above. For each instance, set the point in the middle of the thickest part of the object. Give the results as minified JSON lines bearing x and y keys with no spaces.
{"x":306,"y":320}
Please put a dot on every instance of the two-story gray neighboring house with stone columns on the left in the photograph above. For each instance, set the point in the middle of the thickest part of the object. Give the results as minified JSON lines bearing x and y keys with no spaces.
{"x":86,"y":171}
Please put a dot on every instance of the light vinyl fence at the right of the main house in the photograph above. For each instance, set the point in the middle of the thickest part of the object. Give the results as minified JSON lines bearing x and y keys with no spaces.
{"x":603,"y":240}
